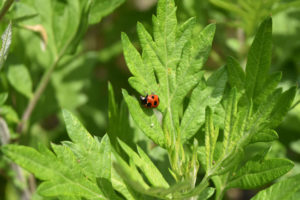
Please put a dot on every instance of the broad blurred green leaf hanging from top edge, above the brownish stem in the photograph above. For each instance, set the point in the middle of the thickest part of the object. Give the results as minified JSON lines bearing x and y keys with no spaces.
{"x":70,"y":17}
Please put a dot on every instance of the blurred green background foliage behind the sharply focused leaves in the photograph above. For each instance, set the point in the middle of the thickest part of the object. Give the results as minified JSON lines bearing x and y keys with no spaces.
{"x":79,"y":82}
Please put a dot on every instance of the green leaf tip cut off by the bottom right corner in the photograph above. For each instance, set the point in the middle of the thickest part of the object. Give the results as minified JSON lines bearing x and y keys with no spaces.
{"x":282,"y":190}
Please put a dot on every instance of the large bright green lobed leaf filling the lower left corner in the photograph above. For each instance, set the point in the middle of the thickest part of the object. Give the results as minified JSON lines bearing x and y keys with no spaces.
{"x":71,"y":170}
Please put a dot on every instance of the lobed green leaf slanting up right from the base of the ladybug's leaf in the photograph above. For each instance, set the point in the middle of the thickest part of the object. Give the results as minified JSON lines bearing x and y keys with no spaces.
{"x":202,"y":96}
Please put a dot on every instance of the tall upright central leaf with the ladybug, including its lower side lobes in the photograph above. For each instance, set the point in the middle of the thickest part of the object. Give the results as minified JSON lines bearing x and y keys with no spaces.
{"x":175,"y":59}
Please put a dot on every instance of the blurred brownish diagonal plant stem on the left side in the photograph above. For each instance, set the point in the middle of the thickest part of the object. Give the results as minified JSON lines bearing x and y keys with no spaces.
{"x":37,"y":94}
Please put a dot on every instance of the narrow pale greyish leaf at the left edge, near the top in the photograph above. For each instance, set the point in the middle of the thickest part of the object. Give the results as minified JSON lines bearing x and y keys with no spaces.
{"x":6,"y":41}
